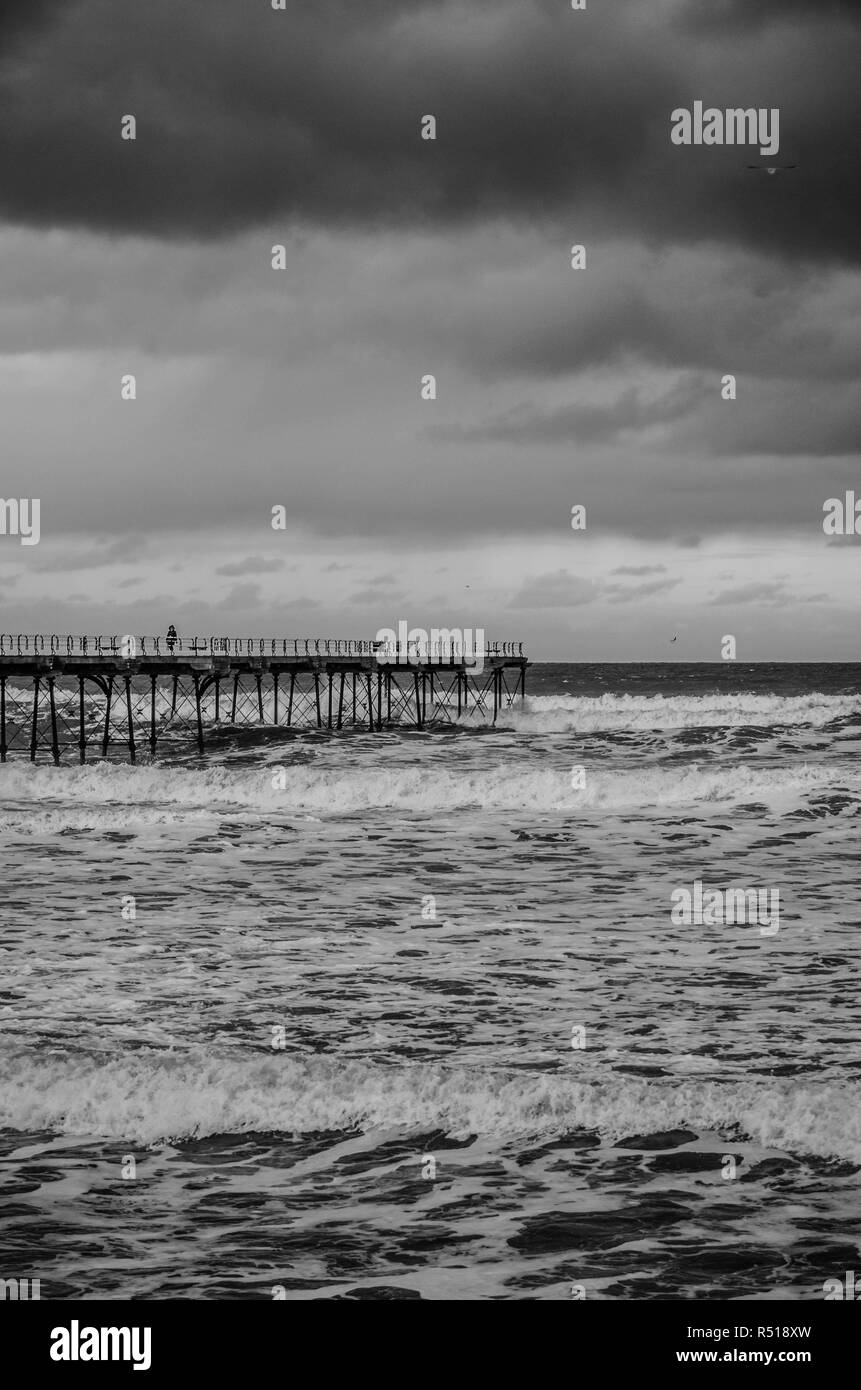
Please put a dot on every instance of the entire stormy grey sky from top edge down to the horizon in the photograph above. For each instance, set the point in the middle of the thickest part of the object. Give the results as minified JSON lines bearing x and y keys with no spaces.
{"x":556,"y":387}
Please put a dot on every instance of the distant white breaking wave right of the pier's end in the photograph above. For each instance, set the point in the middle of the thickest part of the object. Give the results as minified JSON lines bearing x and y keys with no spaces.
{"x":586,"y":715}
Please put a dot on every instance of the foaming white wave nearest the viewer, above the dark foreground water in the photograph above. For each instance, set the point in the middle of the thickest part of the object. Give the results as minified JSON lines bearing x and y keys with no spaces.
{"x":151,"y":1099}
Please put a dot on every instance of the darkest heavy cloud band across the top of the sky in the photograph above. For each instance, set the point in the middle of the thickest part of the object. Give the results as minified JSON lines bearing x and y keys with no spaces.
{"x":248,"y":116}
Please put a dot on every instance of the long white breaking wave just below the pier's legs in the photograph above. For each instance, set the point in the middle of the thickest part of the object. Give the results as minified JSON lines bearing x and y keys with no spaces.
{"x":116,"y":796}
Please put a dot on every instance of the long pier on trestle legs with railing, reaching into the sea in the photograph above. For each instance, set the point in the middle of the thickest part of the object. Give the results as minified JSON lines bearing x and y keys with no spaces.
{"x":101,"y":697}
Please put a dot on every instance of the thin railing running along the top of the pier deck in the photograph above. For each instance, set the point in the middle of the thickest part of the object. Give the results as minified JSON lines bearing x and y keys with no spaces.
{"x":131,"y":646}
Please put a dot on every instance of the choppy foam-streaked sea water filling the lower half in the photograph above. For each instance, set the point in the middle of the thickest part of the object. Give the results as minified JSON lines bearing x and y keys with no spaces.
{"x":428,"y":918}
